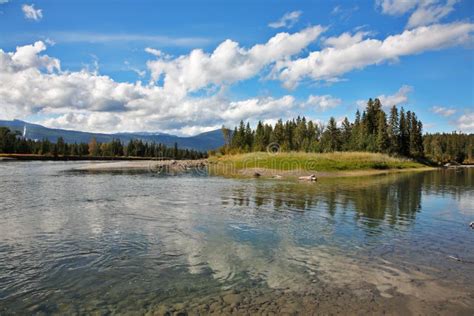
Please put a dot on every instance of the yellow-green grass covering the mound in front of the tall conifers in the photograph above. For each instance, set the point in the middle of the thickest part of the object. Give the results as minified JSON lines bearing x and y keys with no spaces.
{"x":337,"y":161}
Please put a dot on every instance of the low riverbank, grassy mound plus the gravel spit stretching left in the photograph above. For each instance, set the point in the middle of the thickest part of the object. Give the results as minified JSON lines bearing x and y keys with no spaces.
{"x":281,"y":165}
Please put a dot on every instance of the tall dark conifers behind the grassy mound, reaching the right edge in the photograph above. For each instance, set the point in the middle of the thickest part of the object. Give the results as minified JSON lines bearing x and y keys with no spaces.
{"x":397,"y":133}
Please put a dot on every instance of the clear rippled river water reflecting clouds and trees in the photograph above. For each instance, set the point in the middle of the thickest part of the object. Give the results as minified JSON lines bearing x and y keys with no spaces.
{"x":120,"y":242}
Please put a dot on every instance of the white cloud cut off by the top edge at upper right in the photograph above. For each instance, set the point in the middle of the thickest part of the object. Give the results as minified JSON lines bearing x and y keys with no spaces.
{"x":425,"y":12}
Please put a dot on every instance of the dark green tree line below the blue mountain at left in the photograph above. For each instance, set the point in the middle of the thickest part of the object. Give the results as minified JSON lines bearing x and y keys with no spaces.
{"x":12,"y":143}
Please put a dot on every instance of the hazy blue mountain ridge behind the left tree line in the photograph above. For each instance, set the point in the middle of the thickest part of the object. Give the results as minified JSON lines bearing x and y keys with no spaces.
{"x":203,"y":142}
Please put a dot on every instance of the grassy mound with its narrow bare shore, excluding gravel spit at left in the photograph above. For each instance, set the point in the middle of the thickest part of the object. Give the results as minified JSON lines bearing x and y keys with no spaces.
{"x":293,"y":165}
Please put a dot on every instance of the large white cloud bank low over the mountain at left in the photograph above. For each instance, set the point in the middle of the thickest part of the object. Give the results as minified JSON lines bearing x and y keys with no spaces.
{"x":32,"y":83}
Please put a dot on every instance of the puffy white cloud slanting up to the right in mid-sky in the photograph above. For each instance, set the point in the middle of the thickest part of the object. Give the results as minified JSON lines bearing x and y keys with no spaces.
{"x":228,"y":63}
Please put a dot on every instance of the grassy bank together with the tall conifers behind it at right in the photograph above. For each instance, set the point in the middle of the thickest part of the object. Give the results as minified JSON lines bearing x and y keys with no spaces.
{"x":374,"y":143}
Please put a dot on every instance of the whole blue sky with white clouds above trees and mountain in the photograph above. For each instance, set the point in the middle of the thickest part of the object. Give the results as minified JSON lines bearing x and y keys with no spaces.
{"x":186,"y":67}
